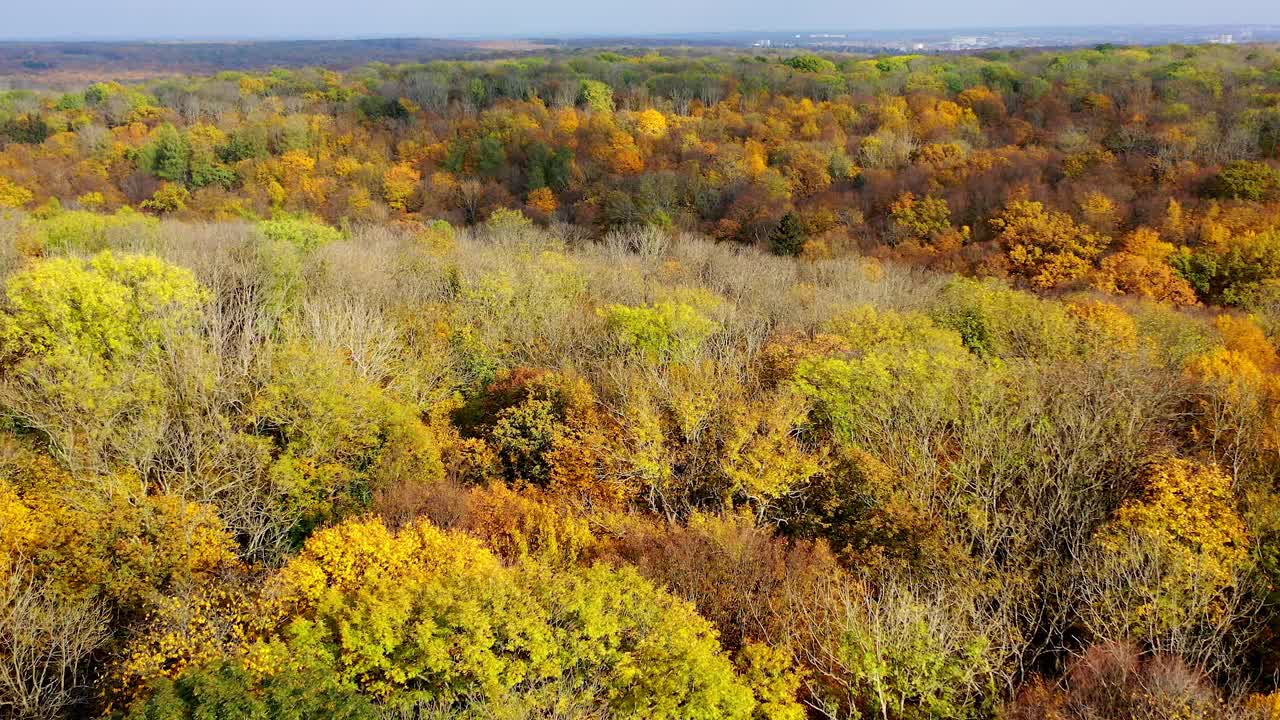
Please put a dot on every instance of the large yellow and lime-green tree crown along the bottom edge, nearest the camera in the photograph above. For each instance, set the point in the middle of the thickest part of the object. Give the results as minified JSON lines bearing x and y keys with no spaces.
{"x":431,"y":619}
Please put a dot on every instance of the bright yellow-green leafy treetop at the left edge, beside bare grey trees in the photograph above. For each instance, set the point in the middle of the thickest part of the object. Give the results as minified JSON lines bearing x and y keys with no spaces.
{"x":83,"y":345}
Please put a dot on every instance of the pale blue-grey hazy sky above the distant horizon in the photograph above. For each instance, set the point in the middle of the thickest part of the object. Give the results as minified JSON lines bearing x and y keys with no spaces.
{"x":180,"y":20}
